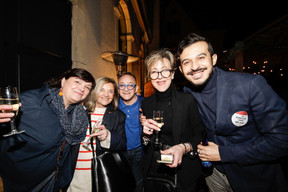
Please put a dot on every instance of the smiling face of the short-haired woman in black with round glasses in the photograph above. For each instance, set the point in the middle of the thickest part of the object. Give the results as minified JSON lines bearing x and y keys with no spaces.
{"x":161,"y":83}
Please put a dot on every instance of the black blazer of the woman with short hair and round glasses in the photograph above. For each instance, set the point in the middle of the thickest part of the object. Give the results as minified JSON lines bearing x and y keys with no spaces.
{"x":187,"y":127}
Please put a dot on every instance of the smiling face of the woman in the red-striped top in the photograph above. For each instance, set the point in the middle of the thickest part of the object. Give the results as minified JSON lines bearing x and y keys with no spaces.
{"x":105,"y":96}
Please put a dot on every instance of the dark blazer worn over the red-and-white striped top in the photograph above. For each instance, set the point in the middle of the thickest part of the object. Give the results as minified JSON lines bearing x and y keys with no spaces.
{"x":115,"y":123}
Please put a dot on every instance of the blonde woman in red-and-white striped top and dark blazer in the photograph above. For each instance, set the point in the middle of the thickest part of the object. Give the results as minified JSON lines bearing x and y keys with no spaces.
{"x":102,"y":104}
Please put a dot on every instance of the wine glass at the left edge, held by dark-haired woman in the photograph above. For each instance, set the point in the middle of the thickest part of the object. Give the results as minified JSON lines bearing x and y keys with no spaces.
{"x":9,"y":96}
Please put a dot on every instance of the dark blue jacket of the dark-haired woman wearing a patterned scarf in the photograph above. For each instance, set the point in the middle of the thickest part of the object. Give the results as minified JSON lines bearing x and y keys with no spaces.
{"x":24,"y":168}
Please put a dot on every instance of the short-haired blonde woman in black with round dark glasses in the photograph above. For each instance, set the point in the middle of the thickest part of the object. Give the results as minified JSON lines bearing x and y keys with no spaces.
{"x":180,"y":133}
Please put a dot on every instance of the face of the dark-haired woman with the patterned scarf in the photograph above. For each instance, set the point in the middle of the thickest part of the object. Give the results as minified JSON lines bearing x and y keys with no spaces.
{"x":74,"y":90}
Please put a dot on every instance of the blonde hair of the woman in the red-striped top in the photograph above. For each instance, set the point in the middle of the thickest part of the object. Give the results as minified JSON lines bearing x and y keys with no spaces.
{"x":91,"y":102}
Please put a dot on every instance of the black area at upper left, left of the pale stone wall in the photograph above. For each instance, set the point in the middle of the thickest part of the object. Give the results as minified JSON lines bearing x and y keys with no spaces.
{"x":35,"y":41}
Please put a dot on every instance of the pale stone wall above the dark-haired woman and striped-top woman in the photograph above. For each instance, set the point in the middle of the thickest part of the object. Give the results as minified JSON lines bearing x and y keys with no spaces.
{"x":94,"y":31}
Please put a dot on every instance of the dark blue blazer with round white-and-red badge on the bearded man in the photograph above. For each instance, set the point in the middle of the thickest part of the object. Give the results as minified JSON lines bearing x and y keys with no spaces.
{"x":252,"y":141}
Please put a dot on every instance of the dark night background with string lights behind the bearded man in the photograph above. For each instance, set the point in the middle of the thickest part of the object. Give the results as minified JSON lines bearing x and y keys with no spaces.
{"x":259,"y":30}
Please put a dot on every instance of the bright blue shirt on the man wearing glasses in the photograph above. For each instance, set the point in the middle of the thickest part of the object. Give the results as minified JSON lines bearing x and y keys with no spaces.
{"x":133,"y":126}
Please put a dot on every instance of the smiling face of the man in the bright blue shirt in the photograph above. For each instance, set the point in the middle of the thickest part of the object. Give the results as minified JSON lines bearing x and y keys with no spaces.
{"x":128,"y":95}
